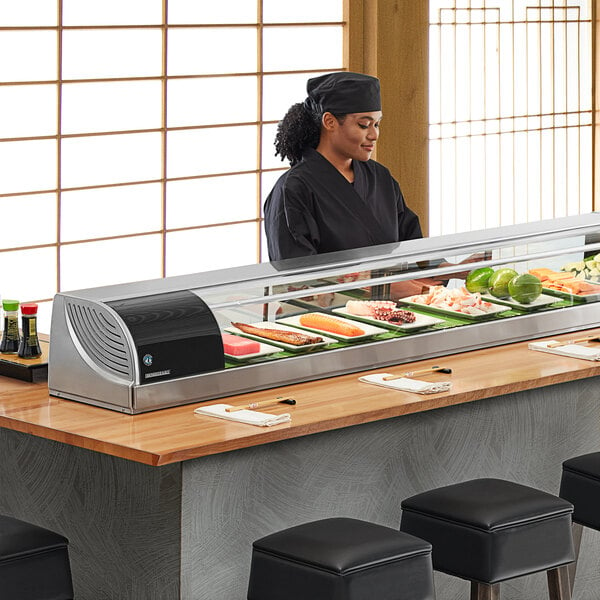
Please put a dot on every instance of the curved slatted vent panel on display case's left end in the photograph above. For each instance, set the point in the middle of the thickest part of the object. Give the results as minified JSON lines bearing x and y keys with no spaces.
{"x":102,"y":339}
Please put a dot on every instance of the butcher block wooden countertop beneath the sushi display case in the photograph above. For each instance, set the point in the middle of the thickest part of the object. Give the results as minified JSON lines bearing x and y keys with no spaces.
{"x":176,"y":434}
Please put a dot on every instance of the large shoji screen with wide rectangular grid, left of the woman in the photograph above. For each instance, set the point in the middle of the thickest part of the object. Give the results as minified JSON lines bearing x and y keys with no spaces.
{"x":136,"y":136}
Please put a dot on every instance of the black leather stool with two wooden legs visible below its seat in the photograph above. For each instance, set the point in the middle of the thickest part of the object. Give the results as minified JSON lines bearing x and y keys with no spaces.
{"x":491,"y":530}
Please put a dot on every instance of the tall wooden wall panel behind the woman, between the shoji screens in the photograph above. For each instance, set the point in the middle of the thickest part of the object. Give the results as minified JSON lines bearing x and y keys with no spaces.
{"x":394,"y":47}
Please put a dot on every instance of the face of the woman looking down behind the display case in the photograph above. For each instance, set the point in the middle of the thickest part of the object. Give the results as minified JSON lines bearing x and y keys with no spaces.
{"x":355,"y":135}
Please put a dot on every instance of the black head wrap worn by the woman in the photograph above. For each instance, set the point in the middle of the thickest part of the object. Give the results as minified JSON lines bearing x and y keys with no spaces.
{"x":343,"y":93}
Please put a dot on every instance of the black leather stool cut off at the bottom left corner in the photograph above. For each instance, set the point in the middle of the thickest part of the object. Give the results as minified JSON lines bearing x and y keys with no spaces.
{"x":34,"y":562}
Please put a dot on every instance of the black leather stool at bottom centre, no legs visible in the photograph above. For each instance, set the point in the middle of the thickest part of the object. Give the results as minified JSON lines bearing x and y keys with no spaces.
{"x":340,"y":559}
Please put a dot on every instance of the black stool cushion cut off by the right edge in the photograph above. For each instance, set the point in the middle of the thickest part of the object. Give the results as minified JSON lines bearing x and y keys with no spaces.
{"x":580,"y":484}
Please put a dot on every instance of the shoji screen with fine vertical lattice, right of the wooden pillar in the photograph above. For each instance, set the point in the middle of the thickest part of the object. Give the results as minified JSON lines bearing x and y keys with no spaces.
{"x":510,"y":112}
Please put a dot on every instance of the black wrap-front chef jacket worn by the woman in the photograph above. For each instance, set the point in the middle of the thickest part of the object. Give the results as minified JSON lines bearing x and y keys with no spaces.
{"x":314,"y":209}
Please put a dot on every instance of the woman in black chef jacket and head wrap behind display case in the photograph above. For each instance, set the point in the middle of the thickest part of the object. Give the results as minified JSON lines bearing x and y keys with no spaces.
{"x":334,"y":197}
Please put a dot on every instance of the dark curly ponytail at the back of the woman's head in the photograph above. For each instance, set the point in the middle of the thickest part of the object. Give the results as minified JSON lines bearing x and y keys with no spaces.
{"x":299,"y":129}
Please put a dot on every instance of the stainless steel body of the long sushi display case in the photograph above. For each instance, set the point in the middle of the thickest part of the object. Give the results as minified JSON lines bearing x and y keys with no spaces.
{"x":81,"y":368}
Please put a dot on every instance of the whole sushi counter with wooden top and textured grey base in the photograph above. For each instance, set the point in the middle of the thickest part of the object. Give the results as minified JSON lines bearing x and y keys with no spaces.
{"x":169,"y":502}
